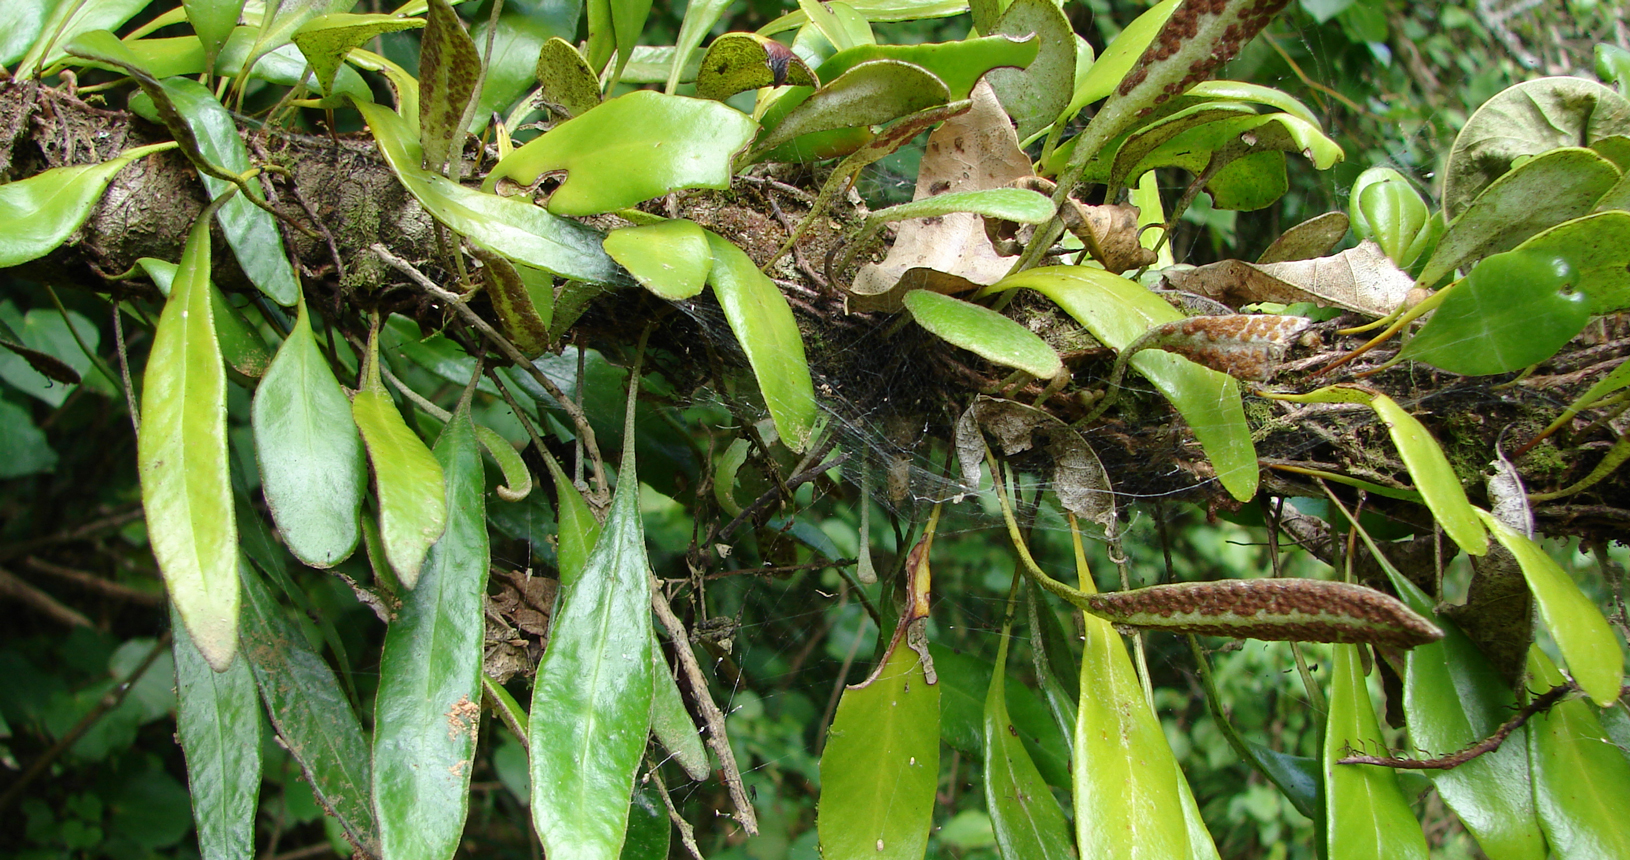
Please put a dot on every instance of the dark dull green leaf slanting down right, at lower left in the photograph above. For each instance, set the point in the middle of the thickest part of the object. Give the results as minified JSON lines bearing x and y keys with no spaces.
{"x":309,"y":711}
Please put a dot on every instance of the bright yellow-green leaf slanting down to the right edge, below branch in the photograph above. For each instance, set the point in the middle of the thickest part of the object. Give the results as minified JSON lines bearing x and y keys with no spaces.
{"x":1575,"y":623}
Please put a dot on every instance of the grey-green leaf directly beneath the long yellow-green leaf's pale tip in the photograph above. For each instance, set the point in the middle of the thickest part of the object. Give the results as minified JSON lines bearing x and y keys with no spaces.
{"x":219,"y":726}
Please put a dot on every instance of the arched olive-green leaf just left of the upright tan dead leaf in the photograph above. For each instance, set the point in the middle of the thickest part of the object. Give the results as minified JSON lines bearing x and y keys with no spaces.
{"x":868,"y":95}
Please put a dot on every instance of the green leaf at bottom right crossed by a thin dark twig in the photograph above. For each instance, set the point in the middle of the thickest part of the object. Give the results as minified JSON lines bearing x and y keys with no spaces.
{"x":1367,"y":815}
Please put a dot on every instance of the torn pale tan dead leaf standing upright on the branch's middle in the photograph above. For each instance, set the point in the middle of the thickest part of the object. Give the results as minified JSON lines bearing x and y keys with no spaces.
{"x":974,"y":152}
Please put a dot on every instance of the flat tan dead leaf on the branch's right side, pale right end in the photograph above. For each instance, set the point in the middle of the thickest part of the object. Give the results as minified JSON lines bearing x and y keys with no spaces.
{"x":1360,"y":279}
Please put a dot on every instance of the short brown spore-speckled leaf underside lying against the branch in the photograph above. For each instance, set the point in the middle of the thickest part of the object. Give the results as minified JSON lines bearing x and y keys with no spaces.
{"x":1243,"y":346}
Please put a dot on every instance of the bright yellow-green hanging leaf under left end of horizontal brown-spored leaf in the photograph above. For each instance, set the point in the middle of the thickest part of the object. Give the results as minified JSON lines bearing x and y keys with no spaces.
{"x":1129,"y":794}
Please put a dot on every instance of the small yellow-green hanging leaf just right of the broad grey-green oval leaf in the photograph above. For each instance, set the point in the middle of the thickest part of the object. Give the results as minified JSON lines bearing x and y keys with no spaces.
{"x":407,"y":476}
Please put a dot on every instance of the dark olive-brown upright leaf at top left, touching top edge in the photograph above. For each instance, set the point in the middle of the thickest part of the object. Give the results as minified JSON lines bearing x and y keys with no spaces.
{"x":449,"y":69}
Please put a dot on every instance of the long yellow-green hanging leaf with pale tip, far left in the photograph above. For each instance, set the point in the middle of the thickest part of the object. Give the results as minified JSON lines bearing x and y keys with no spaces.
{"x":182,"y":455}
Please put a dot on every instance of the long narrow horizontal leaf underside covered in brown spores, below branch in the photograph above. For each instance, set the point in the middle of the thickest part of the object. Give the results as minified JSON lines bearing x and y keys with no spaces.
{"x":1272,"y":610}
